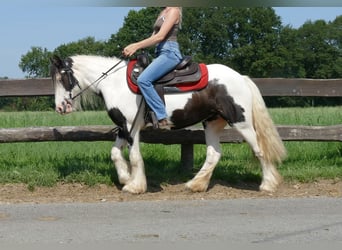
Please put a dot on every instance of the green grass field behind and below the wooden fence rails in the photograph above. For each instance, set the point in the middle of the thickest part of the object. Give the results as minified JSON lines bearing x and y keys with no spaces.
{"x":46,"y":163}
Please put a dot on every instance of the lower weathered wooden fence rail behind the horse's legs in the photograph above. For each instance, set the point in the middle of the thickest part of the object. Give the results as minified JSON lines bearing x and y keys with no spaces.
{"x":183,"y":136}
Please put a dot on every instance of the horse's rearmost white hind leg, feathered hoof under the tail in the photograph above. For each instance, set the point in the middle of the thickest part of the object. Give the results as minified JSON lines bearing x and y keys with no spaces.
{"x":270,"y":176}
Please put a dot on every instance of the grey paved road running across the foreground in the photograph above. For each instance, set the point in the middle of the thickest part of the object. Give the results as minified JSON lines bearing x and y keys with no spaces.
{"x":239,"y":220}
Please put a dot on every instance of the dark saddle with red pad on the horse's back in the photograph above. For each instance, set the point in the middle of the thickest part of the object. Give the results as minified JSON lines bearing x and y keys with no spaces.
{"x":186,"y":77}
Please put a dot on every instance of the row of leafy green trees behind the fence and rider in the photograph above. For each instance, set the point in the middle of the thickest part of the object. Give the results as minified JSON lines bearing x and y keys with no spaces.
{"x":252,"y":41}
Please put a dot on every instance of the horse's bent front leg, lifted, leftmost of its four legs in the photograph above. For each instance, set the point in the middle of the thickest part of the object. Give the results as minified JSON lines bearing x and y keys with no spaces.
{"x":123,"y":168}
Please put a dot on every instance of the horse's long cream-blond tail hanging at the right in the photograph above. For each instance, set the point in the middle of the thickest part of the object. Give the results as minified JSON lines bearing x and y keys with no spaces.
{"x":268,"y":137}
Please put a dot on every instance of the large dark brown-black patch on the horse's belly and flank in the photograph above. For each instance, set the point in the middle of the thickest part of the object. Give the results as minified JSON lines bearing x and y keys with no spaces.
{"x":208,"y":104}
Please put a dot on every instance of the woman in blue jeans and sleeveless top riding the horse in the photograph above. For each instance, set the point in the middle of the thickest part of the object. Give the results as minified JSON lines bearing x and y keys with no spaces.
{"x":168,"y":56}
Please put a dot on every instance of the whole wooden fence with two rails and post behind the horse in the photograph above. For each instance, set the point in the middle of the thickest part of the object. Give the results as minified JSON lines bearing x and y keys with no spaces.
{"x":187,"y":137}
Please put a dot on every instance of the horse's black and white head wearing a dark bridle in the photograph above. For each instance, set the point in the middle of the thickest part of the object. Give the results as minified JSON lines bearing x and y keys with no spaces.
{"x":64,"y":82}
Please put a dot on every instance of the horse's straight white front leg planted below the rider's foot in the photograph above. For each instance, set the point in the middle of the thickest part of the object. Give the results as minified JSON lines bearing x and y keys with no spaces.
{"x":137,"y":183}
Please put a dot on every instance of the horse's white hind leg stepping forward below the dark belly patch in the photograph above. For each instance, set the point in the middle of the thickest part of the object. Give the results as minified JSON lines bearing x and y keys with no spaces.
{"x":201,"y":181}
